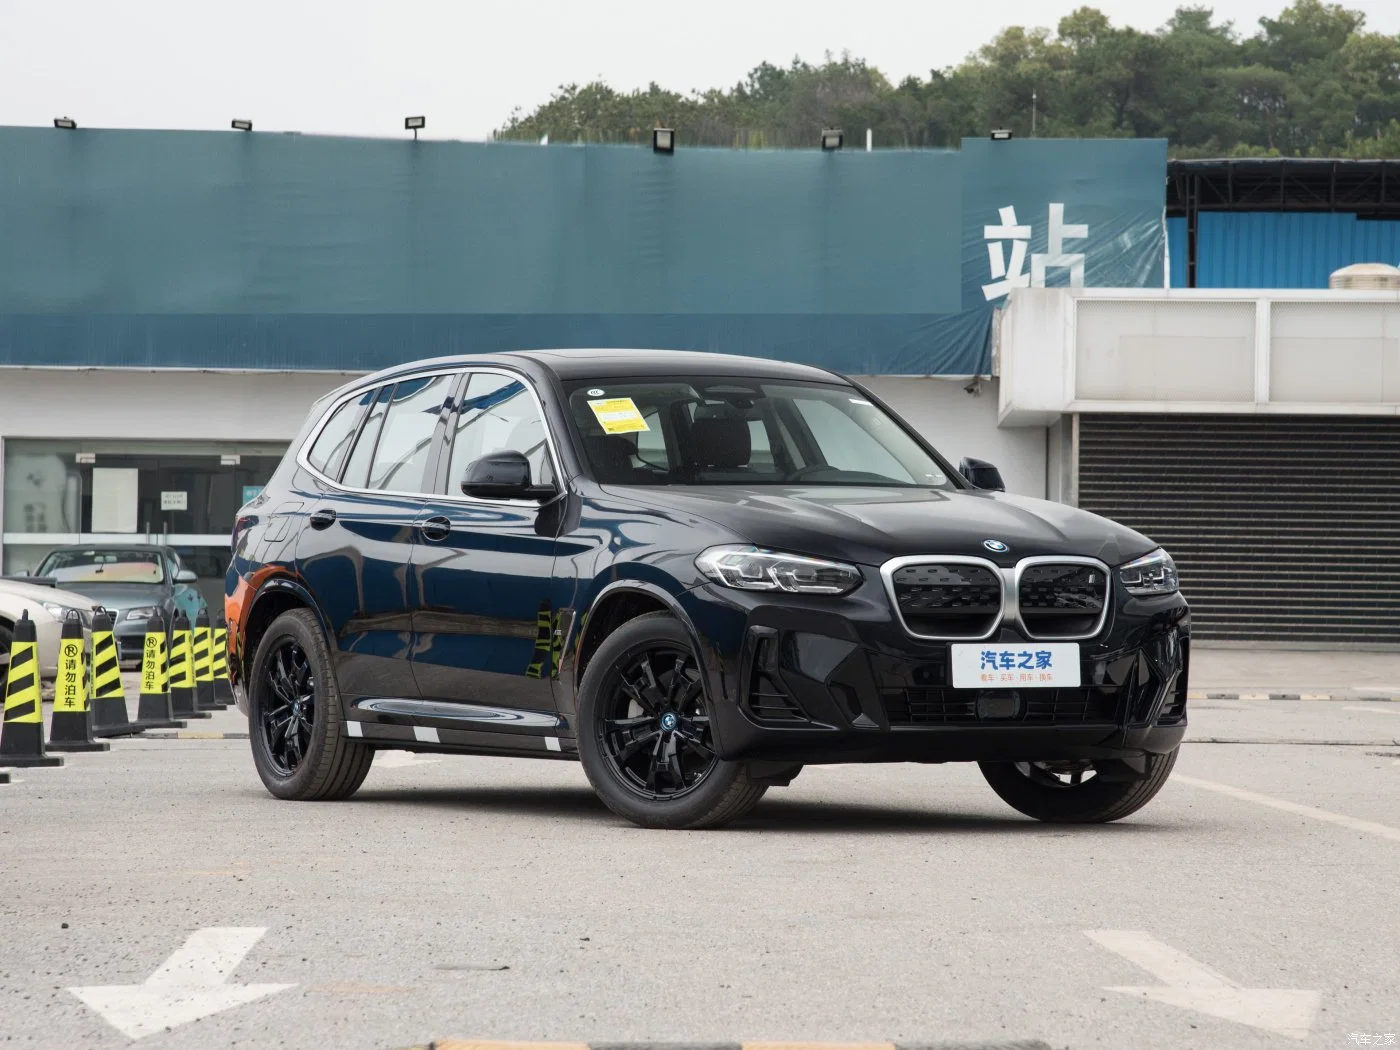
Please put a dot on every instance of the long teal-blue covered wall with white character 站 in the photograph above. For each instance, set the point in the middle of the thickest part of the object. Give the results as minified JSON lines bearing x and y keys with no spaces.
{"x":269,"y":251}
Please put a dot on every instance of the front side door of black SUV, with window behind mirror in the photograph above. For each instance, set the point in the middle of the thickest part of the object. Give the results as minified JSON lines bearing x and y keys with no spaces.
{"x":485,"y":568}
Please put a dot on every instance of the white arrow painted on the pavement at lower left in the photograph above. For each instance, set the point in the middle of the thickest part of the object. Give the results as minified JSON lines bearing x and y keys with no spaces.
{"x":190,"y":986}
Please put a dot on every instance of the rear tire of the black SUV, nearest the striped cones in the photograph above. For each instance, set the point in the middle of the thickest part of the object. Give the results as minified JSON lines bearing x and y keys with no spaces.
{"x":332,"y":766}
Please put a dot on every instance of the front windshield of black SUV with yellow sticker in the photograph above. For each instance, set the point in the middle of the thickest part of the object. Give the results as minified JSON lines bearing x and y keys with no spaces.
{"x":745,"y":432}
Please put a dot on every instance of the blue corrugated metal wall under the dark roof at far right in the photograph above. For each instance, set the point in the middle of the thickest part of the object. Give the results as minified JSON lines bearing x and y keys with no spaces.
{"x":1279,"y":250}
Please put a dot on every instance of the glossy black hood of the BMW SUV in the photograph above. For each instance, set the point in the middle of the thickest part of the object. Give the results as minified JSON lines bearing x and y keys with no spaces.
{"x":871,"y":526}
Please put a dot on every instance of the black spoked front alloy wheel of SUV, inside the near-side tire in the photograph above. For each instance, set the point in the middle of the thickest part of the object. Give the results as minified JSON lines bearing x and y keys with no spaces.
{"x":654,"y":731}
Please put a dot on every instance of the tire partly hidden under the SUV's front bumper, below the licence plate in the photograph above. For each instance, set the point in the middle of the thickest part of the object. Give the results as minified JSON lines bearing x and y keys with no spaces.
{"x":1037,"y":793}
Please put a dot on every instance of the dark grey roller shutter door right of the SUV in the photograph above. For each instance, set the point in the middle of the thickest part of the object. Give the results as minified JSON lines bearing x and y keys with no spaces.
{"x":1286,"y":528}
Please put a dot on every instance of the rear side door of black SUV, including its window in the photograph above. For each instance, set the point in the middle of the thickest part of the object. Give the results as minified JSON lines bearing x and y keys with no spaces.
{"x":355,"y":552}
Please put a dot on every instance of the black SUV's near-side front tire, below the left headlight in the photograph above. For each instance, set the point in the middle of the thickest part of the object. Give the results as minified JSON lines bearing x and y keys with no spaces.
{"x":722,"y":792}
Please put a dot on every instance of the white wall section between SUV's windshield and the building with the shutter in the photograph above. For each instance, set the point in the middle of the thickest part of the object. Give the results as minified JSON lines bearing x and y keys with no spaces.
{"x":964,"y":425}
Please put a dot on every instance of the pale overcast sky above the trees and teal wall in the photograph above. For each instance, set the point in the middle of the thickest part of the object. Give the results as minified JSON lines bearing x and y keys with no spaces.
{"x":362,"y":66}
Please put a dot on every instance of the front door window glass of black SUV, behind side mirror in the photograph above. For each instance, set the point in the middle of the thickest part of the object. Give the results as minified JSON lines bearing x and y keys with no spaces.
{"x":499,"y":414}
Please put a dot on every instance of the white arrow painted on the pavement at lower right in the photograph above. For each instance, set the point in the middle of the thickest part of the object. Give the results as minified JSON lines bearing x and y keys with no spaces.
{"x":1191,"y":986}
